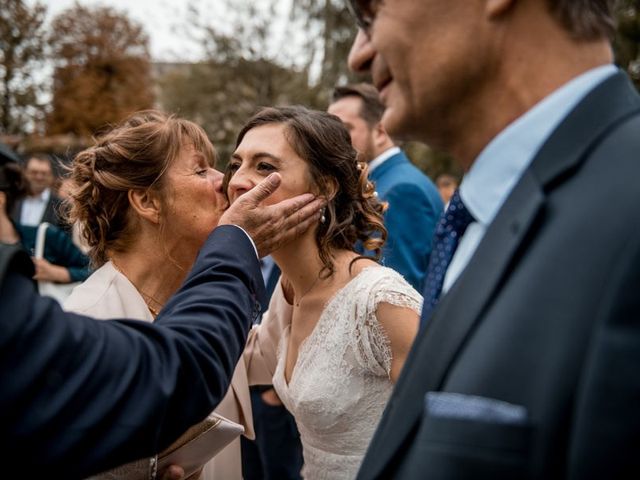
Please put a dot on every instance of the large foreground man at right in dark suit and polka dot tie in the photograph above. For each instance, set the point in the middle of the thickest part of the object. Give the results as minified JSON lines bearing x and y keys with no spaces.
{"x":528,"y":365}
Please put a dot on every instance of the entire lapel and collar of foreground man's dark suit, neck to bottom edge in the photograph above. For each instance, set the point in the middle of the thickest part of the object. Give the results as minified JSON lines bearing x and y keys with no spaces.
{"x":462,"y":307}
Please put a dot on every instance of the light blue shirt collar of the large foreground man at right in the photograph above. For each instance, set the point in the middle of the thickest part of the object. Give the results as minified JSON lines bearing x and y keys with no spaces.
{"x":500,"y":165}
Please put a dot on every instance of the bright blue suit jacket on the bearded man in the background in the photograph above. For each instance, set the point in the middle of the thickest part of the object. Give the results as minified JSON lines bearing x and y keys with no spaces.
{"x":414,"y":209}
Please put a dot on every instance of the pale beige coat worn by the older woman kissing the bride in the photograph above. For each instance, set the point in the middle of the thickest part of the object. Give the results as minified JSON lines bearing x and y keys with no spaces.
{"x":108,"y":294}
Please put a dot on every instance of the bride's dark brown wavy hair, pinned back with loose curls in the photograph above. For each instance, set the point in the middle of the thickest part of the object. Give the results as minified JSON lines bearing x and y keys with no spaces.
{"x":353,"y":212}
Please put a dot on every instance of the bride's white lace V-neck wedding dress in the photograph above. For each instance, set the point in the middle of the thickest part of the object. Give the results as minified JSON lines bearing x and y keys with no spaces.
{"x":340,"y":383}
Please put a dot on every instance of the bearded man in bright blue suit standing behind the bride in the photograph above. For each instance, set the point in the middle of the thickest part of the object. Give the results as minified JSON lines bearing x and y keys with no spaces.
{"x":414,"y":205}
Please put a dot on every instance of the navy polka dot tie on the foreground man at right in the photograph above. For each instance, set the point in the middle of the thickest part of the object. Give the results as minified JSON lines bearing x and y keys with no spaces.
{"x":452,"y":225}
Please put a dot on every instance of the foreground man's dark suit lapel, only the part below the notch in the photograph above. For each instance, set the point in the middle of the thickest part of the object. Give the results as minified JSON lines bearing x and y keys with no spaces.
{"x":452,"y":322}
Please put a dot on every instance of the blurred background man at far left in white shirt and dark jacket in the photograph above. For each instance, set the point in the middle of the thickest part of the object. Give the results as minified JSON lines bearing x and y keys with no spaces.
{"x":41,"y":205}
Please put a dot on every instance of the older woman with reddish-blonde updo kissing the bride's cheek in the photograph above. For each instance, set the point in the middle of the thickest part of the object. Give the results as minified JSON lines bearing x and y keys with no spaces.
{"x":146,"y":197}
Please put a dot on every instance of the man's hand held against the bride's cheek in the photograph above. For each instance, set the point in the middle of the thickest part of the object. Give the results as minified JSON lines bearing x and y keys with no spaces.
{"x":272,"y":226}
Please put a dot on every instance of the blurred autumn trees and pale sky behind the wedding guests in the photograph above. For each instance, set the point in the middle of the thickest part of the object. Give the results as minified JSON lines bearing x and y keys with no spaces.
{"x":70,"y":69}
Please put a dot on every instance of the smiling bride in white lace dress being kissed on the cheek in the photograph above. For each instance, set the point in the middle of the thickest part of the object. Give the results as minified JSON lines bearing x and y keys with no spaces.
{"x":352,"y":321}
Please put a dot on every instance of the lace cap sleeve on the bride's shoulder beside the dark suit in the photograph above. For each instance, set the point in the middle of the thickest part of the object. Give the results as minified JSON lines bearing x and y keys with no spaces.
{"x":372,"y":347}
